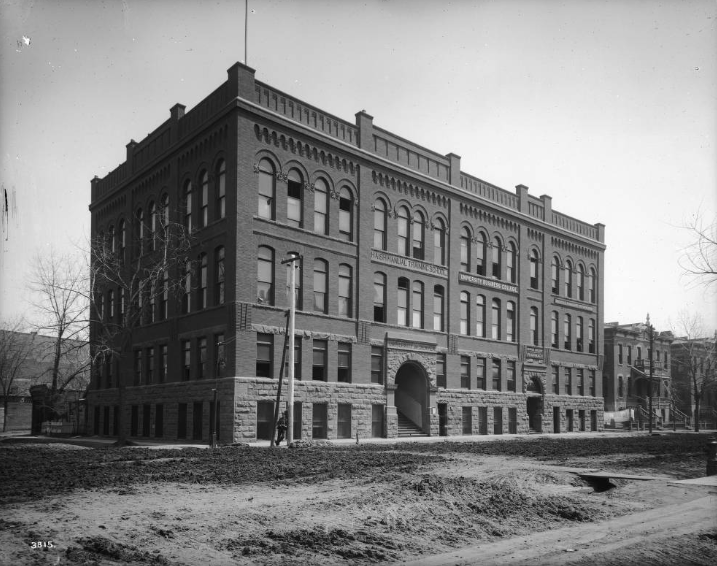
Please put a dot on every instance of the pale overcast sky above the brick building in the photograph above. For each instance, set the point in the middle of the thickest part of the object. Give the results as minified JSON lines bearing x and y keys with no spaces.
{"x":607,"y":106}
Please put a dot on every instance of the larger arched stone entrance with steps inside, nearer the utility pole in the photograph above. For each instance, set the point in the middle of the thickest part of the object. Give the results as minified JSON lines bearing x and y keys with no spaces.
{"x":412,"y":397}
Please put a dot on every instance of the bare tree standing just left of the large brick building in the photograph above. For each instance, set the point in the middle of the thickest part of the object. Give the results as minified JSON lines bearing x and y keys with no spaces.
{"x":61,"y":289}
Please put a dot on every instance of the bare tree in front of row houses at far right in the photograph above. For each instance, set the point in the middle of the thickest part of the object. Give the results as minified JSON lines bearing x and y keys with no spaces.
{"x":693,"y":359}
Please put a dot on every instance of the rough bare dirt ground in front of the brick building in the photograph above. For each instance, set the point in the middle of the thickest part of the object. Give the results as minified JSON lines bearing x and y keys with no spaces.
{"x":508,"y":502}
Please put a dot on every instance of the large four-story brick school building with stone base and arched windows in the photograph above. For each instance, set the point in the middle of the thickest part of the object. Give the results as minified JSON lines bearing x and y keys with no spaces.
{"x":424,"y":293}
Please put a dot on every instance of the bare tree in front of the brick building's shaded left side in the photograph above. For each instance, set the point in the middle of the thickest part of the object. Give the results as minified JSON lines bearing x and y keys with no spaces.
{"x":131,"y":287}
